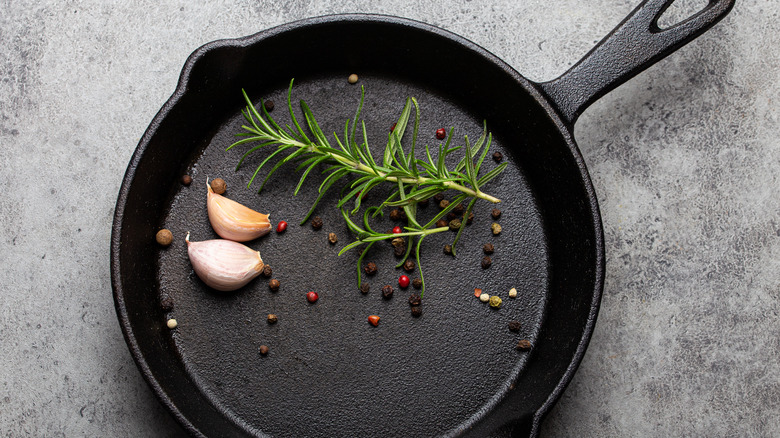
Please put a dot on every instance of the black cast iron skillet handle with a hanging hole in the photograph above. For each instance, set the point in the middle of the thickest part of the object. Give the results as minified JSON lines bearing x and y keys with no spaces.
{"x":635,"y":44}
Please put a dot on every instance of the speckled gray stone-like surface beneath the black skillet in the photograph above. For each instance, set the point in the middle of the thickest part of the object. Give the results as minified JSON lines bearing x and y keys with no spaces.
{"x":684,"y":159}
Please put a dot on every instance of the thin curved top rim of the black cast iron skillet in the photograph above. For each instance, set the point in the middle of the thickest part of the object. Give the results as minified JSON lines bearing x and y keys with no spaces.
{"x":246,"y":41}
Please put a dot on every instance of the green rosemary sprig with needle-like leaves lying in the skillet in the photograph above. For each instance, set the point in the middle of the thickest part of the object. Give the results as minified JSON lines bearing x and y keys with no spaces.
{"x":414,"y":179}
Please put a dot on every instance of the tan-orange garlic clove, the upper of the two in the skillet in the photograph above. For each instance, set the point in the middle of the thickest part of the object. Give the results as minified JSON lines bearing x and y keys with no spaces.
{"x":234,"y":221}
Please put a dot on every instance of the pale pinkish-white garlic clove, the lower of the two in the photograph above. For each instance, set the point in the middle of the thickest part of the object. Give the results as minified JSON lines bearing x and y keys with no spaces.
{"x":224,"y":265}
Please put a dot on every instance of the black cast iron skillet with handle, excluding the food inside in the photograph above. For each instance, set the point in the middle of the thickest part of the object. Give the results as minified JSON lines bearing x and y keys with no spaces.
{"x":452,"y":372}
